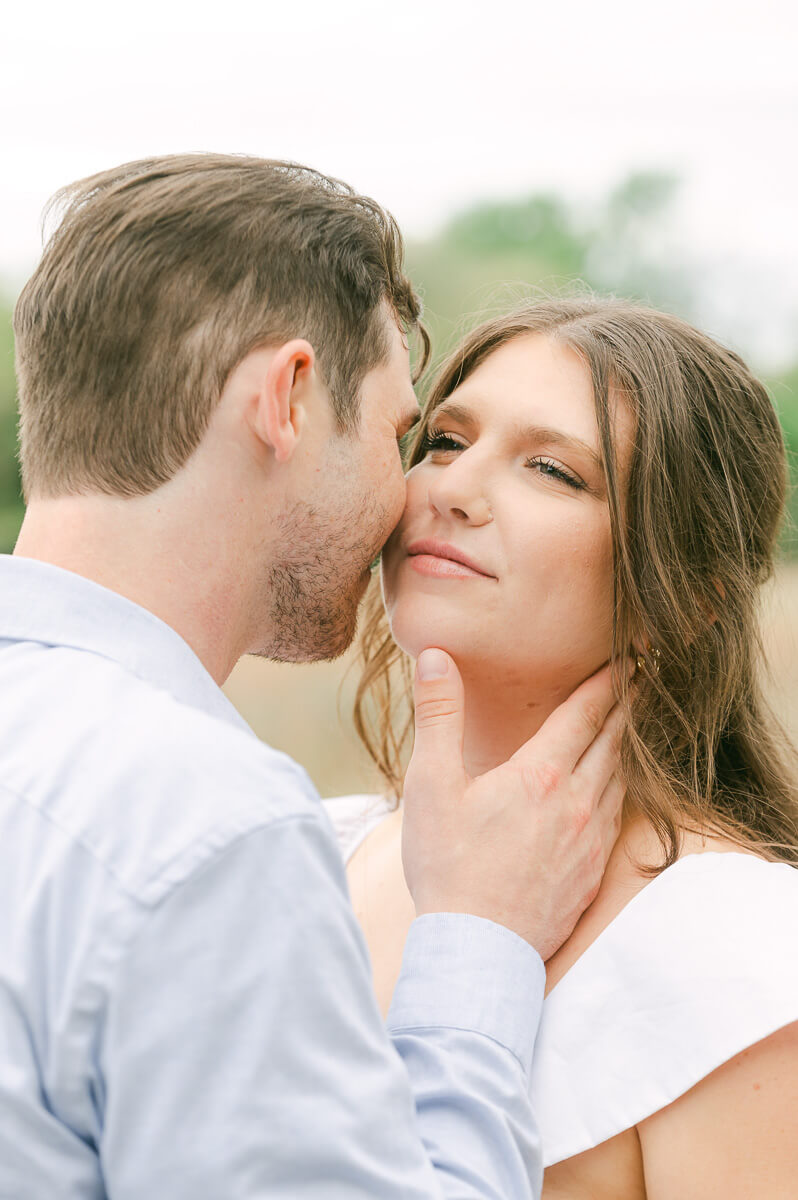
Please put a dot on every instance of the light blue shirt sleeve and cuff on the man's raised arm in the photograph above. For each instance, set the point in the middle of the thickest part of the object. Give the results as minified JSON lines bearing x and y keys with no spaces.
{"x":243,"y":1054}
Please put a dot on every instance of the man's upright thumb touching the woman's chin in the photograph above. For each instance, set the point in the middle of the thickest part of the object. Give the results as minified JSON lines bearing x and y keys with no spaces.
{"x":440,"y":723}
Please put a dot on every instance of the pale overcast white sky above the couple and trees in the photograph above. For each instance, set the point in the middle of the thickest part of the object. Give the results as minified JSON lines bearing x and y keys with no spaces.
{"x":430,"y":106}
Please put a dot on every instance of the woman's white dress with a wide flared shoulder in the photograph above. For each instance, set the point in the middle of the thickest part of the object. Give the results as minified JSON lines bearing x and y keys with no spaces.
{"x":701,"y":964}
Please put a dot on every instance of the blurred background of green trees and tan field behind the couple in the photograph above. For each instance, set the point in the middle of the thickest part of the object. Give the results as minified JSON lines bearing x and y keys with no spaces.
{"x":487,"y":257}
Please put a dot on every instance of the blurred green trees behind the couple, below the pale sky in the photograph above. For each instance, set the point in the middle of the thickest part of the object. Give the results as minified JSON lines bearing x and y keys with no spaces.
{"x":491,"y":255}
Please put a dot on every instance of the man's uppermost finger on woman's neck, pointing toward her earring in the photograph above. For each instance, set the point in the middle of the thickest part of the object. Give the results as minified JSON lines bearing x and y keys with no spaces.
{"x":566,"y":735}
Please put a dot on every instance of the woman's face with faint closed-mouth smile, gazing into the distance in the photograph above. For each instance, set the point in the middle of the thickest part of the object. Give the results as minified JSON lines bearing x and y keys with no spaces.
{"x":513,"y":483}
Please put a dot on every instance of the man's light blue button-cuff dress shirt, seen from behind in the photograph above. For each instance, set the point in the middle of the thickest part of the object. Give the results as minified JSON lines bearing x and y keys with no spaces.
{"x":185,"y":1001}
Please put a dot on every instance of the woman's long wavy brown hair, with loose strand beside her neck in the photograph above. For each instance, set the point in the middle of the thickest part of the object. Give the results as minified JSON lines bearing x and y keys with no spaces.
{"x":694,"y":531}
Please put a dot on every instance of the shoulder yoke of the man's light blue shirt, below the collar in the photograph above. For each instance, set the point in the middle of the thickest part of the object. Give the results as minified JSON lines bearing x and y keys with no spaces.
{"x":148,"y":785}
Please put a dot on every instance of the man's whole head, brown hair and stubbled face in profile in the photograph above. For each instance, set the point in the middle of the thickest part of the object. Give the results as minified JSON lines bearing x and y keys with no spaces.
{"x":175,"y":285}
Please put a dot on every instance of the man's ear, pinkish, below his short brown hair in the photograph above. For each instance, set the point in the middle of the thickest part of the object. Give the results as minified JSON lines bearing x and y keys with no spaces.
{"x":280,"y":411}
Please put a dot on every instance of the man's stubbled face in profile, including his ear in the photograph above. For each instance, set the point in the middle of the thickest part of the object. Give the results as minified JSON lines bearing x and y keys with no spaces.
{"x":340,"y":499}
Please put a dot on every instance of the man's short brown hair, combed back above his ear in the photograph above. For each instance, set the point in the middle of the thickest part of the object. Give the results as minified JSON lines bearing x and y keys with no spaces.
{"x":161,"y":277}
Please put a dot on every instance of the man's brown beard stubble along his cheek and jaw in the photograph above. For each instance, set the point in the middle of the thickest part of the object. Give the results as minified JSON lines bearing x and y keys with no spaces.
{"x":317,"y":581}
